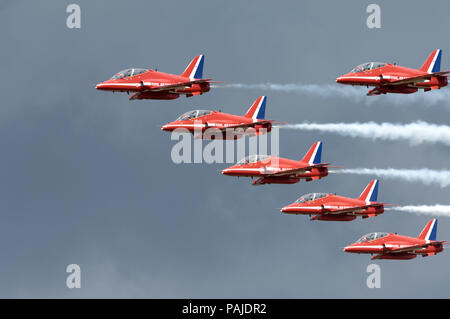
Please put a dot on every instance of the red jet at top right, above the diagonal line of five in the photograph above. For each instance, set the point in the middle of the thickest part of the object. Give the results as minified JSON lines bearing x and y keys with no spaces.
{"x":391,"y":78}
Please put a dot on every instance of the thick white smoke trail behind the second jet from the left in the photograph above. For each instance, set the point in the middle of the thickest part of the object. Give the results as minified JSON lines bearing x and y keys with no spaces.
{"x":416,"y":133}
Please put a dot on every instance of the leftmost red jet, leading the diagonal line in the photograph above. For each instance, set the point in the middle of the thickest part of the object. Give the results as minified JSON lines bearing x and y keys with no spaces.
{"x":151,"y":84}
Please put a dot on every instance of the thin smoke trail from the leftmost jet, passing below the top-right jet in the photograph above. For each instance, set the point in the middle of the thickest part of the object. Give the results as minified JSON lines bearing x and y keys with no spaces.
{"x":356,"y":94}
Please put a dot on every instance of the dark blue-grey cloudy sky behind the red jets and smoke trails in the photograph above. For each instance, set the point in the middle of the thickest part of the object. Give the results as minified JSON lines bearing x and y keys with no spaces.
{"x":87,"y":176}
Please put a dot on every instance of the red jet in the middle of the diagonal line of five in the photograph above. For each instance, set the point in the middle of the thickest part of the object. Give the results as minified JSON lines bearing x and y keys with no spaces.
{"x":276,"y":170}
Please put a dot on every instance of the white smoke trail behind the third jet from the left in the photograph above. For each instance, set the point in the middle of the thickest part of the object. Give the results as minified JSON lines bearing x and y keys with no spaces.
{"x":425,"y":176}
